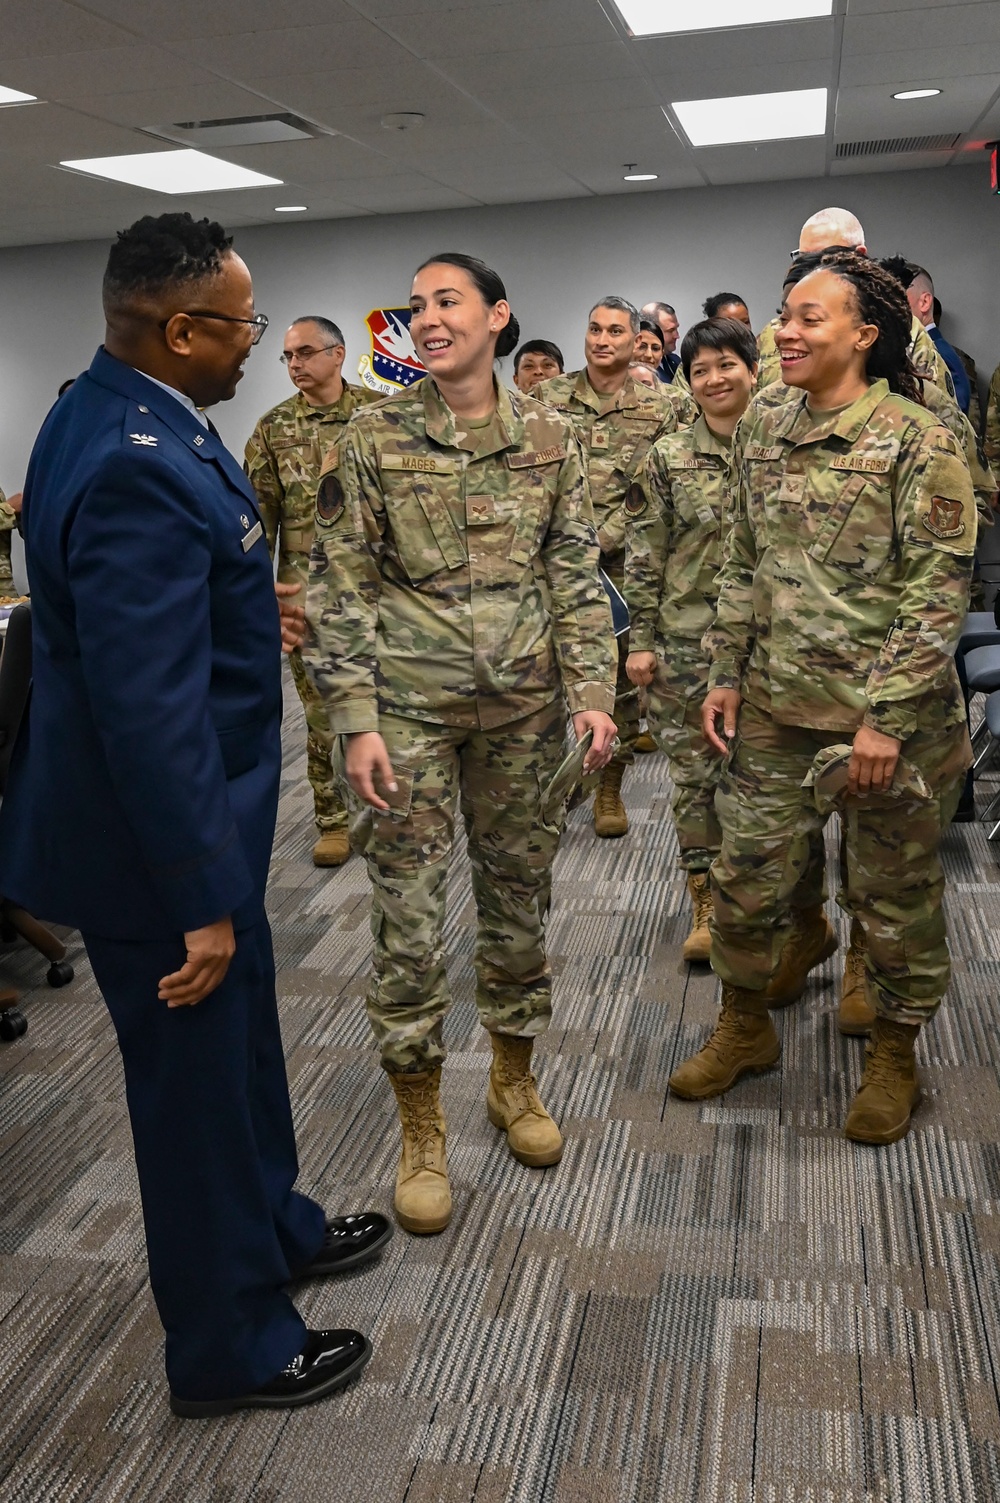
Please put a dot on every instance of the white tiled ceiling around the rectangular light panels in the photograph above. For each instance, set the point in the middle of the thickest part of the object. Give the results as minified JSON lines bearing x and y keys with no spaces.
{"x":524,"y":100}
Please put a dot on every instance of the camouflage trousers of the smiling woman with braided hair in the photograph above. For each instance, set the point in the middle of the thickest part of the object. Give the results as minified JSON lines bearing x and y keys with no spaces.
{"x":894,"y":882}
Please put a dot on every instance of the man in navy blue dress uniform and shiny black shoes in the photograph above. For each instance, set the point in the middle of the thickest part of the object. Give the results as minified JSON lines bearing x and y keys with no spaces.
{"x":142,"y":803}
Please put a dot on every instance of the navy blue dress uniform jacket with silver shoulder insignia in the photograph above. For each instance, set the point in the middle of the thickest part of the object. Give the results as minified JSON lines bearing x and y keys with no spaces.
{"x":144,"y":788}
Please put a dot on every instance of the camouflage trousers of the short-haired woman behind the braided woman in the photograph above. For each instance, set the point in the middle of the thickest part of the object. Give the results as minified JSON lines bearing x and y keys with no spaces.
{"x":676,"y":698}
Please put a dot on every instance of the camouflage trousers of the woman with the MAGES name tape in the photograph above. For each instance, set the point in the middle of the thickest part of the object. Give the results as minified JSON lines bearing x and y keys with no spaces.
{"x":498,"y":779}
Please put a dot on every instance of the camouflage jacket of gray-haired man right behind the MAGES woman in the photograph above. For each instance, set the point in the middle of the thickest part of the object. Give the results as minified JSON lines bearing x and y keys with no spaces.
{"x":616,"y":435}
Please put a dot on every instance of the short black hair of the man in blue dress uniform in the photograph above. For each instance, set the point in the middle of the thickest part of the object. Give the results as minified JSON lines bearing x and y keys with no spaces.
{"x":162,"y":252}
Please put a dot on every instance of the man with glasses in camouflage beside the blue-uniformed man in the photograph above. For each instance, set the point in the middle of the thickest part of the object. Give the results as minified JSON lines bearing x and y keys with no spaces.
{"x":283,"y":462}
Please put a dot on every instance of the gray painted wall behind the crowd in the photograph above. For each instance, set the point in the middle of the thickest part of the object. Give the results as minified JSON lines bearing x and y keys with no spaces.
{"x":556,"y":258}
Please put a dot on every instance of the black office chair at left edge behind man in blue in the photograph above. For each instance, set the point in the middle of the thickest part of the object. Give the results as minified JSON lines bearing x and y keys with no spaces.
{"x":16,"y":686}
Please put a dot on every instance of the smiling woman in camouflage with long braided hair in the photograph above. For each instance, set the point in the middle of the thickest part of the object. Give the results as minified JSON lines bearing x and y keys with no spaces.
{"x":843,"y":596}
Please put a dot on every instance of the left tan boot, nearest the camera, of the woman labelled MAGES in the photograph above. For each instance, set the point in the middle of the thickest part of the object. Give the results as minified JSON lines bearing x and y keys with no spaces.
{"x":423,"y":1196}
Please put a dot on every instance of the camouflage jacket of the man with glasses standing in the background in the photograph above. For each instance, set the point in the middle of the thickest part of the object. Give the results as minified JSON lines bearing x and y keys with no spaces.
{"x":283,"y":461}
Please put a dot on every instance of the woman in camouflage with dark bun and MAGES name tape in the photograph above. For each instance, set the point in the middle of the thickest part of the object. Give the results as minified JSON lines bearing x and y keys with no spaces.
{"x":456,"y":617}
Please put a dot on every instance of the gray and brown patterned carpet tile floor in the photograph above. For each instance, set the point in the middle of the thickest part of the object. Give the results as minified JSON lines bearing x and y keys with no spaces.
{"x":720,"y":1304}
